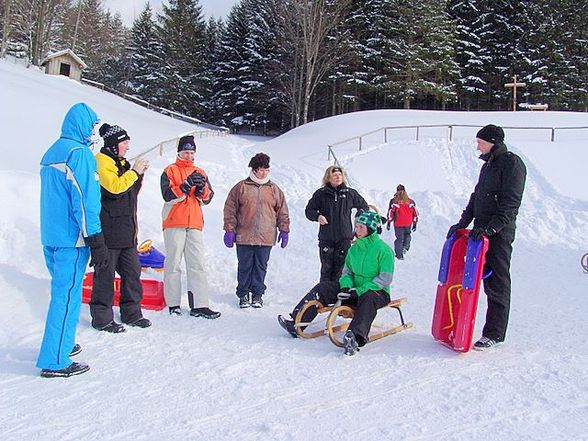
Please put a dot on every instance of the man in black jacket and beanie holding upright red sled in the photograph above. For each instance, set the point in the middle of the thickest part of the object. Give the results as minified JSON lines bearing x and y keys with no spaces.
{"x":493,"y":206}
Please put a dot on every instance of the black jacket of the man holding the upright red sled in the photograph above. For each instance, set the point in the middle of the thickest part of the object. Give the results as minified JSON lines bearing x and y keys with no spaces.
{"x":498,"y":194}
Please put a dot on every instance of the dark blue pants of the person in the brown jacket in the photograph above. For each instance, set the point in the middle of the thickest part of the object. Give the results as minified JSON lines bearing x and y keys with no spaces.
{"x":252,"y":269}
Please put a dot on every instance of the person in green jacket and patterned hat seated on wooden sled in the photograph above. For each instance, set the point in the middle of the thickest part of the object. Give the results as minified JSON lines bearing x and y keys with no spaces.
{"x":367,"y":275}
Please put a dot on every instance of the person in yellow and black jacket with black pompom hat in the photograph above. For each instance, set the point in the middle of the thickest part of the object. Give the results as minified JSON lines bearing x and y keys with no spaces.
{"x":119,"y":184}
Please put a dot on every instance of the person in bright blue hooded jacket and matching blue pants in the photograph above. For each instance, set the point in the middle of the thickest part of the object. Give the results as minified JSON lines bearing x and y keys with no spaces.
{"x":70,"y":232}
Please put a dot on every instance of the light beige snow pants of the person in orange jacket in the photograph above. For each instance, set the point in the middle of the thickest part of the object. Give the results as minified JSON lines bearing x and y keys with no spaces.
{"x":186,"y":242}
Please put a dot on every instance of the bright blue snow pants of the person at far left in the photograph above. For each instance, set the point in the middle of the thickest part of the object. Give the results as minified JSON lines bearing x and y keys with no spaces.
{"x":66,"y":267}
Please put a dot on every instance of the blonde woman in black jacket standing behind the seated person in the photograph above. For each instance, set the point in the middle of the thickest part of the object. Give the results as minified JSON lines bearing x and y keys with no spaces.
{"x":331,"y":207}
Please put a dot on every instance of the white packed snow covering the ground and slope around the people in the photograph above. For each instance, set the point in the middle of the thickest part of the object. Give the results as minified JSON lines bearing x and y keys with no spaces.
{"x":241,"y":377}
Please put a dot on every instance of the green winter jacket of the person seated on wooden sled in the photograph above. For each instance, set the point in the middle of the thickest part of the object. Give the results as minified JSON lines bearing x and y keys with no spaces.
{"x":369,"y":265}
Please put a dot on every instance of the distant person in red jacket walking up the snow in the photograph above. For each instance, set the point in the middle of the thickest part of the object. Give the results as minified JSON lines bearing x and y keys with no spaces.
{"x":403,"y":213}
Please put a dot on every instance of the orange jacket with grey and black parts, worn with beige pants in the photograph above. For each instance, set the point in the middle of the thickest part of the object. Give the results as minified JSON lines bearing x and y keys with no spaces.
{"x":183,"y":210}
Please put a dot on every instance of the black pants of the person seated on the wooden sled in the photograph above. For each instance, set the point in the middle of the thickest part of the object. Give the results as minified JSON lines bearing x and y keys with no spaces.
{"x":367,"y":306}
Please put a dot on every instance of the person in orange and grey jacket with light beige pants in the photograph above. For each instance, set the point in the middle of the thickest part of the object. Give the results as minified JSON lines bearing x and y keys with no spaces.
{"x":185,"y":188}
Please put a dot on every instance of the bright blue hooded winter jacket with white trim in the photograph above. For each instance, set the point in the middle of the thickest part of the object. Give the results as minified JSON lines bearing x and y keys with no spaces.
{"x":70,"y":190}
